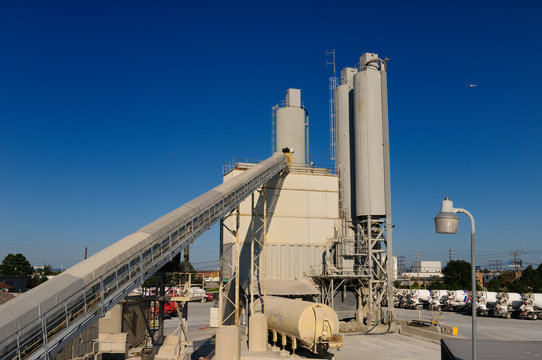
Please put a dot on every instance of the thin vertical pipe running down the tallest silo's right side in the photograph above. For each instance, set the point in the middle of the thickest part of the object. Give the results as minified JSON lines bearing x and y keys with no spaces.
{"x":387,"y":184}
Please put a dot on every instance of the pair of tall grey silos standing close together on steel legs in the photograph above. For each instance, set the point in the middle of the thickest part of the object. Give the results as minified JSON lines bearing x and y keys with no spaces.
{"x":361,"y":134}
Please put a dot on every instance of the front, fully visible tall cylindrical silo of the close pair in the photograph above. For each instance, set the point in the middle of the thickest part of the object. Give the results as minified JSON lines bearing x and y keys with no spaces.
{"x":369,"y":152}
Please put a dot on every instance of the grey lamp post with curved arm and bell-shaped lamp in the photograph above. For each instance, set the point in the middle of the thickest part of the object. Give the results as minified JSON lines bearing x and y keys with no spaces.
{"x":446,"y":222}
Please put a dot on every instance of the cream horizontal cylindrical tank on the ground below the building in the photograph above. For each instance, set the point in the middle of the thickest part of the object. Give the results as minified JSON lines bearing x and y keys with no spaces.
{"x":315,"y":326}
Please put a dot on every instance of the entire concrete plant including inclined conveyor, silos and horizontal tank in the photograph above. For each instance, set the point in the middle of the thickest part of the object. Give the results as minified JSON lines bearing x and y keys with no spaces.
{"x":299,"y":246}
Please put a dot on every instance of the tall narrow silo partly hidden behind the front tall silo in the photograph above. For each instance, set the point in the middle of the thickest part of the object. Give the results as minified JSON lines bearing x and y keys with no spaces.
{"x":344,"y":120}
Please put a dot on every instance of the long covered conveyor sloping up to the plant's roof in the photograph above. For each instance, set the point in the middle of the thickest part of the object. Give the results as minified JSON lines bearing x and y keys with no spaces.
{"x":40,"y":322}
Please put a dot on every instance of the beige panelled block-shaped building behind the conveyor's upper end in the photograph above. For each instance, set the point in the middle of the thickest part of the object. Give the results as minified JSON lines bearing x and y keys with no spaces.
{"x":302,"y":221}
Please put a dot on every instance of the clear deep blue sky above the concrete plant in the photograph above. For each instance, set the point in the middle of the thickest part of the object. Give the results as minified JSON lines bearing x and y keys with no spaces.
{"x":115,"y":113}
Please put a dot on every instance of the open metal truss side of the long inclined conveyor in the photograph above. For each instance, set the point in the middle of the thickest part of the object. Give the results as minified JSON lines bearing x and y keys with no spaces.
{"x":55,"y":328}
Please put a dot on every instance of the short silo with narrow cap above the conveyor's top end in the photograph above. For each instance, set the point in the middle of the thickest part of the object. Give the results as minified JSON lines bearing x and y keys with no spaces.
{"x":291,"y":126}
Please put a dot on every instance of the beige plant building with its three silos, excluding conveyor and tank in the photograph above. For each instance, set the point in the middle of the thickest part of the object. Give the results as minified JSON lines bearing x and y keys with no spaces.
{"x":317,"y":233}
